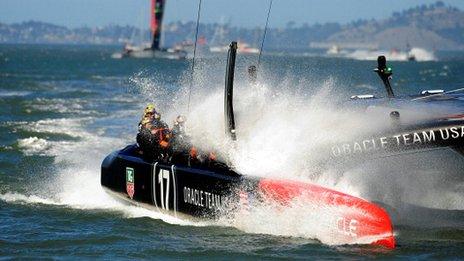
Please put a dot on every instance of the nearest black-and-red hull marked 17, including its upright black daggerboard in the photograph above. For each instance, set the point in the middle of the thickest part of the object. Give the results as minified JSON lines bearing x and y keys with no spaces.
{"x":215,"y":189}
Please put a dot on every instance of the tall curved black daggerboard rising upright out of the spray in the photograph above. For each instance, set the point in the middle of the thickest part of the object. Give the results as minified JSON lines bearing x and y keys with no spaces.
{"x":228,"y":92}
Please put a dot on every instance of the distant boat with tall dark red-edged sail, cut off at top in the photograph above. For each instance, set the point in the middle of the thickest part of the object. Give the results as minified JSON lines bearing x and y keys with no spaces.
{"x":153,"y":49}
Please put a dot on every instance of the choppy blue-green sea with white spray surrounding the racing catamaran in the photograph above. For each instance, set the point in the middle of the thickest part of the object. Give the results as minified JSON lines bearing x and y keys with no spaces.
{"x":63,"y":108}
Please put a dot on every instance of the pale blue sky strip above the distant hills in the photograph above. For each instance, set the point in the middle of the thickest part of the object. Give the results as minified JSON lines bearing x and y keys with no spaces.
{"x":247,"y":13}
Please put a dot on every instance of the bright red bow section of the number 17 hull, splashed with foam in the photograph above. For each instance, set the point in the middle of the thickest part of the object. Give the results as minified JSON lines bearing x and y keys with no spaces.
{"x":354,"y":220}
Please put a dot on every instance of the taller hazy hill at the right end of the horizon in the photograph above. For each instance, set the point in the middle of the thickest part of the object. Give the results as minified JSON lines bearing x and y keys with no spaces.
{"x":436,"y":26}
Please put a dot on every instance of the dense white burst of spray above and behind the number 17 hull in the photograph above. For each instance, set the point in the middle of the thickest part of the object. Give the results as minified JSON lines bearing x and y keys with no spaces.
{"x":278,"y":134}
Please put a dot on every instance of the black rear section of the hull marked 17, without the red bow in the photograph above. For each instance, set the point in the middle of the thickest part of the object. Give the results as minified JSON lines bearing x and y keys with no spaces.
{"x":196,"y":192}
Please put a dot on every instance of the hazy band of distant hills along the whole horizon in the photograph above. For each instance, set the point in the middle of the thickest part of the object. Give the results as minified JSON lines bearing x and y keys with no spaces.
{"x":436,"y":26}
